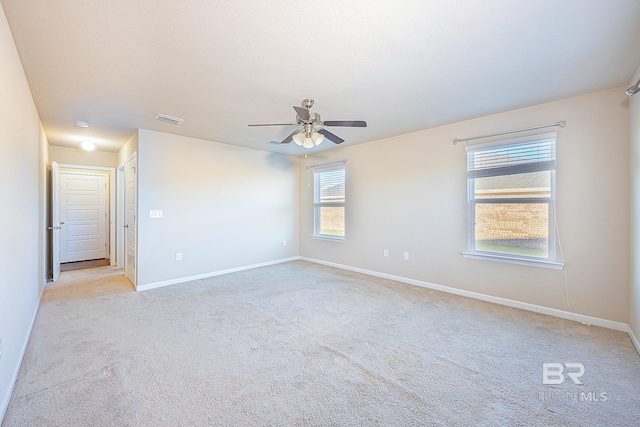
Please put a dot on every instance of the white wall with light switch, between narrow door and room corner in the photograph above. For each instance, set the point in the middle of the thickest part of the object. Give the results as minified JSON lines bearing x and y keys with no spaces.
{"x":224,"y":206}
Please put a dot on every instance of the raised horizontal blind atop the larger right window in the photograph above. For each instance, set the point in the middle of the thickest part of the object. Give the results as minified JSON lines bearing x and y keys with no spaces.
{"x":527,"y":155}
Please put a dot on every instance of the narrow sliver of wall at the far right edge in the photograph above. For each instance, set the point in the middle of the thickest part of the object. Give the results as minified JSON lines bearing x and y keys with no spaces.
{"x":634,"y":293}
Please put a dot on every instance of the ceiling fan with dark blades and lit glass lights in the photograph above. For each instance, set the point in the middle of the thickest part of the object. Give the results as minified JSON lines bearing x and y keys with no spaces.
{"x":311,"y":131}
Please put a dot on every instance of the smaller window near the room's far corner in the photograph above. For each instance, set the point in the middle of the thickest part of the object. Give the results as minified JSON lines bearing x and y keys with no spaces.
{"x":328,"y":202}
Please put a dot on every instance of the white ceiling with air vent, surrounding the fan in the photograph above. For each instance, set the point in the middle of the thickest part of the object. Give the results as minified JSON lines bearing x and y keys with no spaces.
{"x":401,"y":65}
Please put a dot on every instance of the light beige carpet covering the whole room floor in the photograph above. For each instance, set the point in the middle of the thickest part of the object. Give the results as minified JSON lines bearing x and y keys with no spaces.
{"x":307,"y":345}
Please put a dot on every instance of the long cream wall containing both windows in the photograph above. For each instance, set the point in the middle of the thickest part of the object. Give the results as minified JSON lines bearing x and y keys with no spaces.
{"x":408,"y":193}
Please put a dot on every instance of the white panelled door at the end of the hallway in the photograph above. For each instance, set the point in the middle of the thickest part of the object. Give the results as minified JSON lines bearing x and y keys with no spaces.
{"x":83,"y":216}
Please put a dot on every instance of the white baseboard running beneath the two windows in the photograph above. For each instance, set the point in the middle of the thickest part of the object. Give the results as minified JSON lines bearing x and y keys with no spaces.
{"x":618,"y":326}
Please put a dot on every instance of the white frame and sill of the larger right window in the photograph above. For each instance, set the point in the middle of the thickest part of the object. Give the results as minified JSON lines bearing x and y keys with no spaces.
{"x":551,"y":260}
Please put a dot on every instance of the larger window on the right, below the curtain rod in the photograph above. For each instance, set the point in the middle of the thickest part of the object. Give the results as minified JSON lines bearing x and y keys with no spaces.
{"x":512,"y":198}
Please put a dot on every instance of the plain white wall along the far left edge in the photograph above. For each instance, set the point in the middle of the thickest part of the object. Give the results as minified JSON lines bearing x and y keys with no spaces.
{"x":22,"y":242}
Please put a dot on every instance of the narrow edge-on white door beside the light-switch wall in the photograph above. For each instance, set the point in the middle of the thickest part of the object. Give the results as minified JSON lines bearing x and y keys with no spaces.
{"x":130,"y":218}
